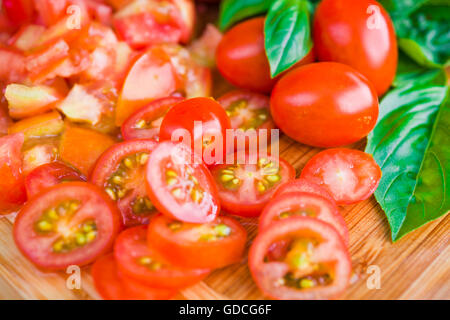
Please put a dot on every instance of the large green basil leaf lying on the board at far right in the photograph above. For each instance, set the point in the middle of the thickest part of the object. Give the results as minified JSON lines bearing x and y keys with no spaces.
{"x":411,"y":144}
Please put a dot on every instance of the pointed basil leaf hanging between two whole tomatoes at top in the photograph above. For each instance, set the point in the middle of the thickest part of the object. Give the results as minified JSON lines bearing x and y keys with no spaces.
{"x":287,"y":34}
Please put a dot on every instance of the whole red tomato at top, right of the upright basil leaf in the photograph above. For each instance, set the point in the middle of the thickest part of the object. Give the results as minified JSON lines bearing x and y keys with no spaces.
{"x":358,"y":33}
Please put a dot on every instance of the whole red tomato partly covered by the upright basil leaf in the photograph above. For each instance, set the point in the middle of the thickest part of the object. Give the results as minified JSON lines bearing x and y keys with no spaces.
{"x":242,"y":60}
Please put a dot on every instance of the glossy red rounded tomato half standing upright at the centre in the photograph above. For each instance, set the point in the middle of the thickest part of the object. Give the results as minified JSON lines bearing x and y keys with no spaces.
{"x":209,"y":137}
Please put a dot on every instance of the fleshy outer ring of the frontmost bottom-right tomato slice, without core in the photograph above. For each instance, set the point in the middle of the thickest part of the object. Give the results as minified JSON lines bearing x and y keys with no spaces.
{"x":266,"y":274}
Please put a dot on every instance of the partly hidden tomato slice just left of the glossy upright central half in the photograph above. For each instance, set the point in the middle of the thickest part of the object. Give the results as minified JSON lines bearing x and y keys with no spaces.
{"x":146,"y":121}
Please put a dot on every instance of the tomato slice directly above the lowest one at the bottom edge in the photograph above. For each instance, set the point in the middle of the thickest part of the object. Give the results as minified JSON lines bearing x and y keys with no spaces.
{"x":138,"y":260}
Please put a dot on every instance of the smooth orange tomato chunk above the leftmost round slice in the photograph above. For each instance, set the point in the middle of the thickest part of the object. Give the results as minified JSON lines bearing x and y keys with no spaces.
{"x":82,"y":147}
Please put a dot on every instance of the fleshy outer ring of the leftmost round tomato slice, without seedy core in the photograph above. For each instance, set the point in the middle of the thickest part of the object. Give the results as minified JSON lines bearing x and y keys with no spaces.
{"x":95,"y":204}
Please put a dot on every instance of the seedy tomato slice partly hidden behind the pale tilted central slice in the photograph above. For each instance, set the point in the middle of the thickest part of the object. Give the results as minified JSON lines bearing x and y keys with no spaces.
{"x":120,"y":171}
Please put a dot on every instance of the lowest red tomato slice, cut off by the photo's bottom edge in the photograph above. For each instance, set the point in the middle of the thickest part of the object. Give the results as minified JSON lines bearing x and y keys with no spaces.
{"x":112,"y":285}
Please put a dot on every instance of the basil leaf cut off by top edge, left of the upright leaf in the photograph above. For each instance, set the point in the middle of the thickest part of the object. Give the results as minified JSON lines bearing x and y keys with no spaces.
{"x":232,"y":11}
